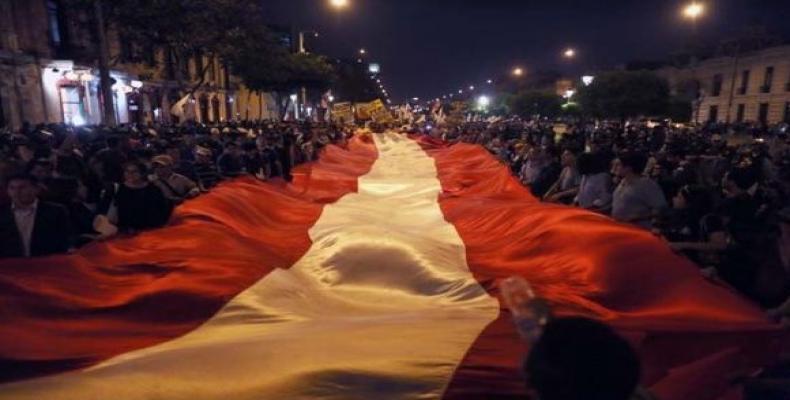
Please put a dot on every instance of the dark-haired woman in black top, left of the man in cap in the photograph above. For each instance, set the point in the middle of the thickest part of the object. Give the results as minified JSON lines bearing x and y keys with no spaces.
{"x":141,"y":205}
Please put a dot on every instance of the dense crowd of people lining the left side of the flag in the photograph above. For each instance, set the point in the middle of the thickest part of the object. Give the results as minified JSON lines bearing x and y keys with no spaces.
{"x":67,"y":186}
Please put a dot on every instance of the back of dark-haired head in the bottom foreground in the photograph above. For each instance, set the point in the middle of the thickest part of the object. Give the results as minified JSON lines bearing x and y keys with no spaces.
{"x":581,"y":359}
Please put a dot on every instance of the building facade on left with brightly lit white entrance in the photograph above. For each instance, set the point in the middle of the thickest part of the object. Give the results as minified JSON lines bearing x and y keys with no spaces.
{"x":48,"y":73}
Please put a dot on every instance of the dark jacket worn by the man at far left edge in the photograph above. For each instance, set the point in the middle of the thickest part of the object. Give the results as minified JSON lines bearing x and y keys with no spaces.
{"x":51,"y":232}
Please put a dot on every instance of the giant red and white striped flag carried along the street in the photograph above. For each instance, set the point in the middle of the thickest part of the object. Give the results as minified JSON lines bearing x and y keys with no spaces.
{"x":373,"y":276}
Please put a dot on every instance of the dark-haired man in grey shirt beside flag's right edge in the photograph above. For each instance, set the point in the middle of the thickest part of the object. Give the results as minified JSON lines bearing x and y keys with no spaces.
{"x":637,"y":200}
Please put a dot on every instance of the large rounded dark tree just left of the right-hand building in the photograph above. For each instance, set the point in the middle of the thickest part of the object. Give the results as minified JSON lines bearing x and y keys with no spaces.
{"x":623,"y":94}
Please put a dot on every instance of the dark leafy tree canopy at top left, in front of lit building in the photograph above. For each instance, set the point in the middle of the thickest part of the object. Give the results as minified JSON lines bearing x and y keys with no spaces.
{"x":184,"y":29}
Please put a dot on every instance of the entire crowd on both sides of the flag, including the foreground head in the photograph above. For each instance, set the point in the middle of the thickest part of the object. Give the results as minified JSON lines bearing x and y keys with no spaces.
{"x":717,"y":194}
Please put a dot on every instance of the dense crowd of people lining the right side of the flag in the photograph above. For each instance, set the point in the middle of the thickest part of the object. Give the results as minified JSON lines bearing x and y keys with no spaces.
{"x":718,"y":194}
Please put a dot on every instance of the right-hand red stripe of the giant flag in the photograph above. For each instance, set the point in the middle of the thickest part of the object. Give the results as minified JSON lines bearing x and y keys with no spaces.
{"x":589,"y":266}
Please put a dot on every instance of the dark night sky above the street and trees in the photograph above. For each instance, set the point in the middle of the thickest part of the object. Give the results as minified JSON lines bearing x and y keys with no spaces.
{"x":432,"y":47}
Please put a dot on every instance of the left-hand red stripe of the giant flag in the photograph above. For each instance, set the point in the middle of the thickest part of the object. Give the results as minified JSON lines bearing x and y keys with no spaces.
{"x":68,"y":312}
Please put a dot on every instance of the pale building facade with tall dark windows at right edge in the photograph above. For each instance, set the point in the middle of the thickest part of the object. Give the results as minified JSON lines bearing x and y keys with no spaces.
{"x":750,"y":87}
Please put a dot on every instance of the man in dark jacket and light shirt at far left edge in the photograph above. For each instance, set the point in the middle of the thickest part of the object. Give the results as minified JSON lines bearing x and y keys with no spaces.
{"x":29,"y":227}
